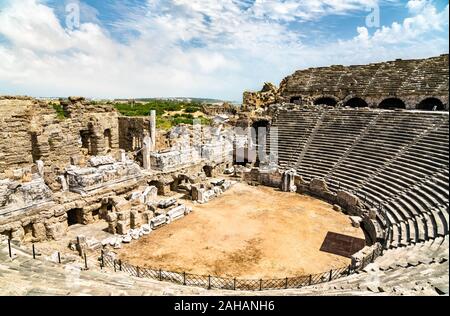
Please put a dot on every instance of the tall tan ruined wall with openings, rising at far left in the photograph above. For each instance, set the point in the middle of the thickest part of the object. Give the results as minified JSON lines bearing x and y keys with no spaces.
{"x":31,"y":130}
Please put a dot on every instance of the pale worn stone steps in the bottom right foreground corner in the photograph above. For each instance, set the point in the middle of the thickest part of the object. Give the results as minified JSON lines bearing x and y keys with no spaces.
{"x":415,"y":270}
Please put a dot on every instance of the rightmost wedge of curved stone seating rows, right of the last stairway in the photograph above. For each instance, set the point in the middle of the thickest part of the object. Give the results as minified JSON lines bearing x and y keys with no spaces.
{"x":408,"y":188}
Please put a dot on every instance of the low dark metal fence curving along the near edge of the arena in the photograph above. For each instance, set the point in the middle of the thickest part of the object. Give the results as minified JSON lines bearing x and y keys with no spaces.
{"x":214,"y":282}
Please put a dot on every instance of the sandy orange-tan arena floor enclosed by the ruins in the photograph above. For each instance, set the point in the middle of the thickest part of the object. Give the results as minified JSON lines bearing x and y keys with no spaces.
{"x":249,"y":232}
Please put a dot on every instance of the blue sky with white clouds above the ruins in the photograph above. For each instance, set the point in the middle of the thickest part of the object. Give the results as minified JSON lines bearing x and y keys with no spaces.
{"x":201,"y":48}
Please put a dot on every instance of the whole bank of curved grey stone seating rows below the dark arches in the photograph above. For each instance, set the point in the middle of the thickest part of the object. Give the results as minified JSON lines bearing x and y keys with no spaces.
{"x":396,"y":161}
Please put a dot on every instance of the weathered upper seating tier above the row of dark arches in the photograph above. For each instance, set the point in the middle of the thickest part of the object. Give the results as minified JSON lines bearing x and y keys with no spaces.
{"x":411,"y":81}
